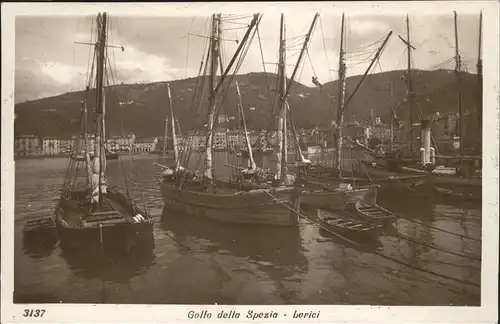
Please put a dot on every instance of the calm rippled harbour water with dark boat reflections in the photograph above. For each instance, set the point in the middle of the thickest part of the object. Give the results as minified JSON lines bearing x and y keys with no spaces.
{"x":204,"y":262}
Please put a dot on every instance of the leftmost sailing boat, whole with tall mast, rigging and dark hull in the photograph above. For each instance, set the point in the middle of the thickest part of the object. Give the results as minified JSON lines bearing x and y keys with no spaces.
{"x":93,"y":212}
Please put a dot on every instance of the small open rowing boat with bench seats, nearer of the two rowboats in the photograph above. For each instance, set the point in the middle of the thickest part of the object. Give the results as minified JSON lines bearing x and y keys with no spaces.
{"x":350,"y":227}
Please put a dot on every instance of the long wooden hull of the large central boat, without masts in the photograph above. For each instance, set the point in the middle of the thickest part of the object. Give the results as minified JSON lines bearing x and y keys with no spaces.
{"x":269,"y":207}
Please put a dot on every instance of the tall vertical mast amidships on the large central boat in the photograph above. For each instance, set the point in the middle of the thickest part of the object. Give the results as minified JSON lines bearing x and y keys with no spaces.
{"x":214,"y":58}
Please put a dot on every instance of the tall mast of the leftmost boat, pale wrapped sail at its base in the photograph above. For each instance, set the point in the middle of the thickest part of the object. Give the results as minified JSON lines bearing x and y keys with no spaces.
{"x":99,"y":164}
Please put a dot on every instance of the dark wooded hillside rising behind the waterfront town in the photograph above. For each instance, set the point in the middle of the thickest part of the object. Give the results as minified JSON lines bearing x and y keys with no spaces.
{"x":144,"y":107}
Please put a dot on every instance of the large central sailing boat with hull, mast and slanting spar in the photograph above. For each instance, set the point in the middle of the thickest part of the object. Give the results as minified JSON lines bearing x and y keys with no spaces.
{"x":204,"y":196}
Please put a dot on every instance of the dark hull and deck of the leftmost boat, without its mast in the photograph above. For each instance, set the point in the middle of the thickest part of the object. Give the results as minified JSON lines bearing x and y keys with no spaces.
{"x":115,"y":224}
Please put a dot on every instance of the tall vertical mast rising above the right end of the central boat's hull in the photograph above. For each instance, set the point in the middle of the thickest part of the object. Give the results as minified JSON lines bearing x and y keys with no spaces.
{"x":282,"y":147}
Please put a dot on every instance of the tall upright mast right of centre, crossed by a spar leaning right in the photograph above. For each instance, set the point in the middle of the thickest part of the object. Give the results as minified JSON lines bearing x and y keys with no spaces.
{"x":340,"y":106}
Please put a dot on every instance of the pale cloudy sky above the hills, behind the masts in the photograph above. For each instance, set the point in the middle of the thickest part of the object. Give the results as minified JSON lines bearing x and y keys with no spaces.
{"x":163,"y":48}
